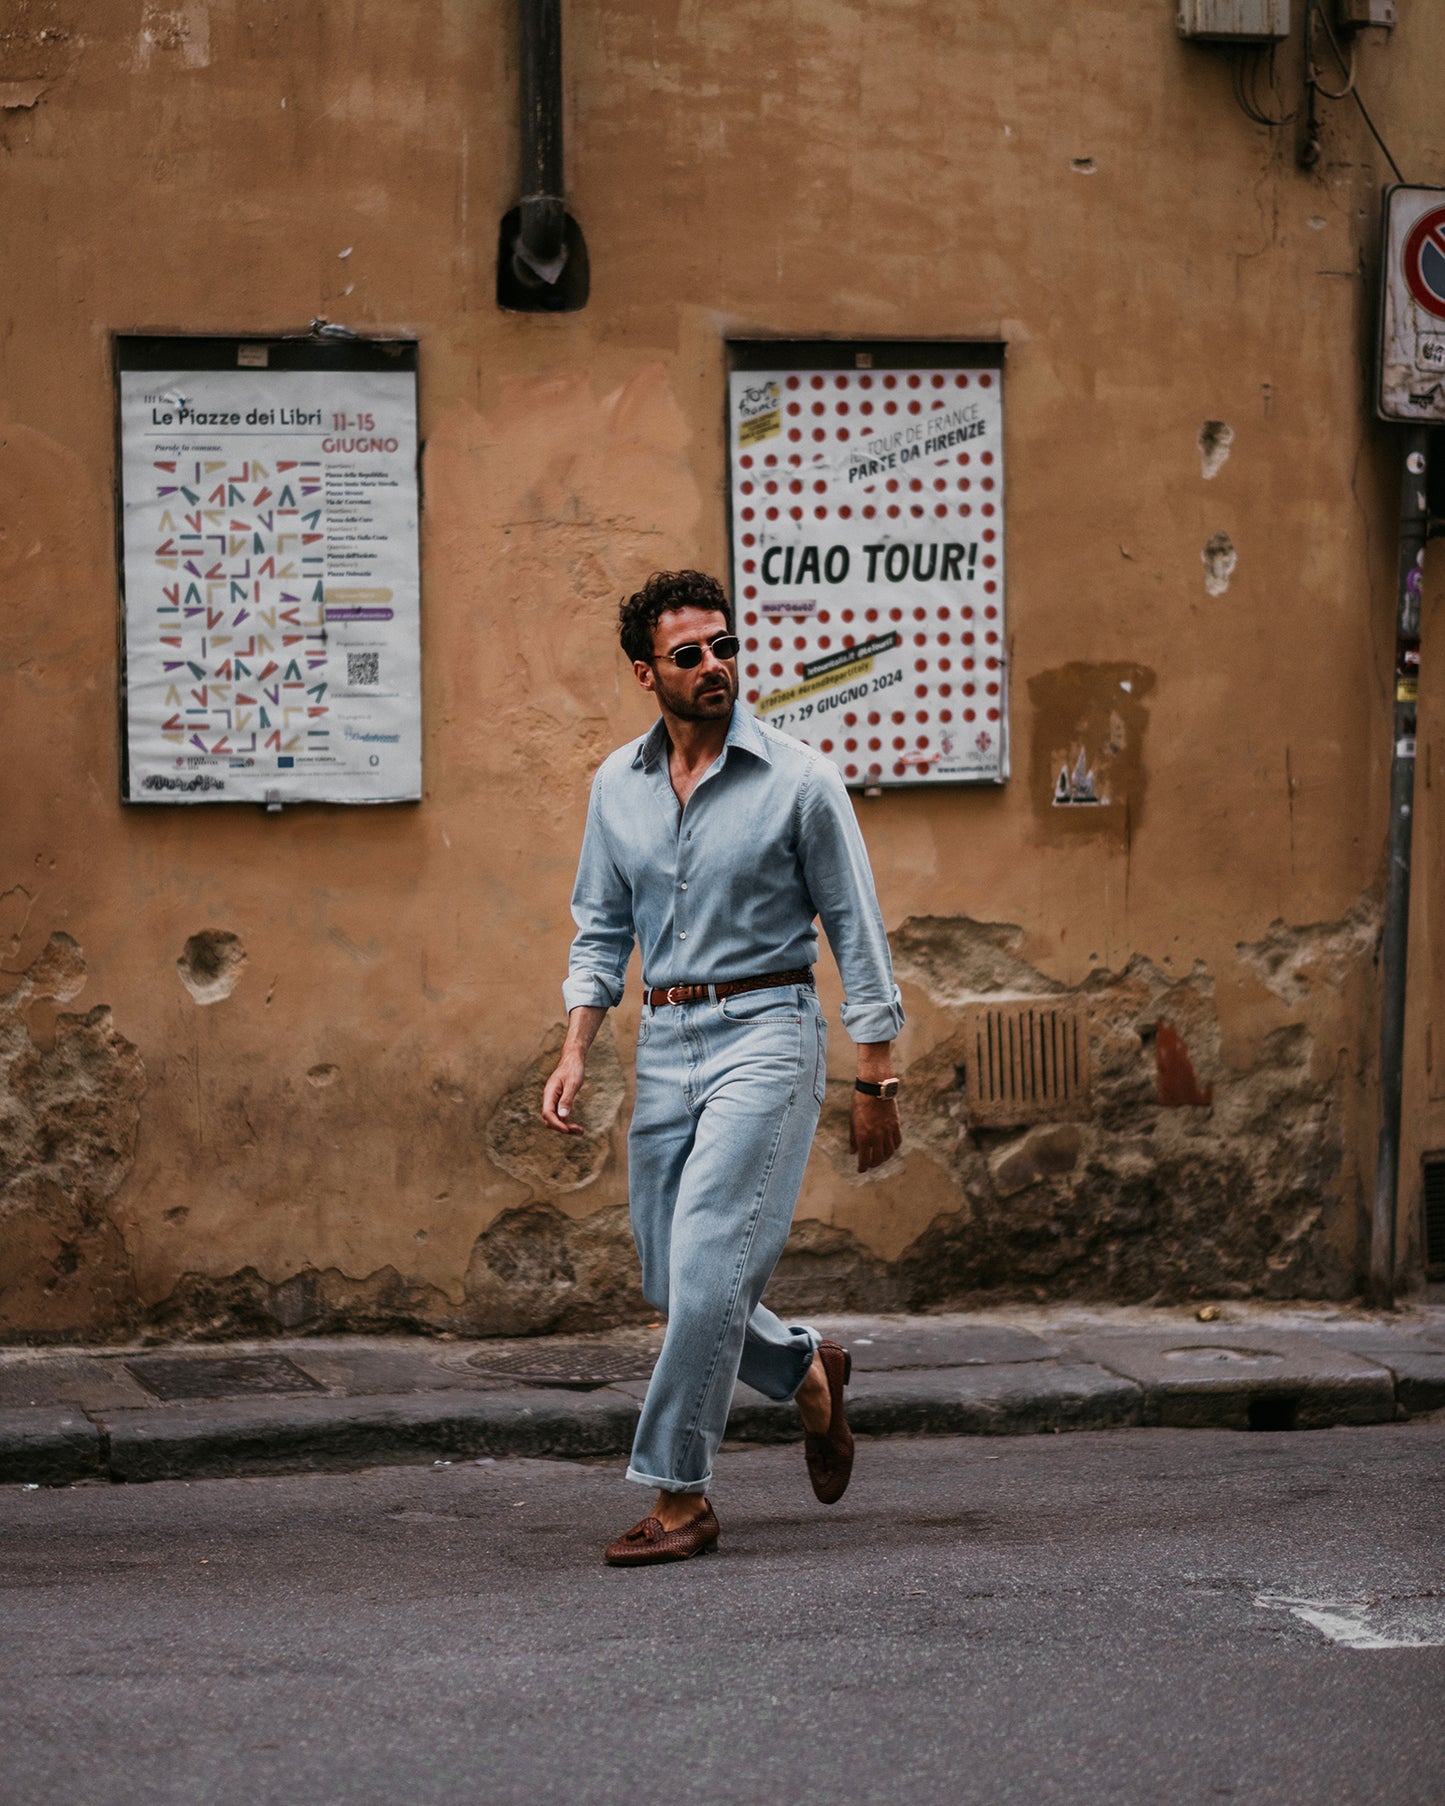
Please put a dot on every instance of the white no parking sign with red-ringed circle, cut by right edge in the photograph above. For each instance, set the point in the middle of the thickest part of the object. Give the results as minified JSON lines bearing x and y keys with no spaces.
{"x":1413,"y":306}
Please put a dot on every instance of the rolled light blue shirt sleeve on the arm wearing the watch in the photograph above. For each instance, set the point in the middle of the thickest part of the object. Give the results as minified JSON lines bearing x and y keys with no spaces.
{"x":835,"y":866}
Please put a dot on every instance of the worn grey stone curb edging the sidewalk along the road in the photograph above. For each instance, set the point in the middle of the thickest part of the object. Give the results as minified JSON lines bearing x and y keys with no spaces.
{"x":1123,"y":1386}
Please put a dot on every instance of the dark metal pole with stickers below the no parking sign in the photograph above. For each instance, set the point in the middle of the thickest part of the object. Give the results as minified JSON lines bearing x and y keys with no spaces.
{"x":1395,"y":936}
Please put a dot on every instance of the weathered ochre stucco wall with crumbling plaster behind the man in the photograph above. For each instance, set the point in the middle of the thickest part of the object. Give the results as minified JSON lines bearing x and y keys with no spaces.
{"x":344,"y":1140}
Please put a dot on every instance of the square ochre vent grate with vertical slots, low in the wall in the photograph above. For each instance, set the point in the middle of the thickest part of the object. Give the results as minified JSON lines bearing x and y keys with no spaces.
{"x":1027,"y":1063}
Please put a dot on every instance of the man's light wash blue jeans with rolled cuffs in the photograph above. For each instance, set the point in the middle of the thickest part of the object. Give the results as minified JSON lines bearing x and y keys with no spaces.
{"x":729,"y":1099}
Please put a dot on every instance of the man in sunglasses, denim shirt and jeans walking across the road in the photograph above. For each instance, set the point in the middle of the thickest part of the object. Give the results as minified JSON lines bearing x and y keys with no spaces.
{"x":714,"y":842}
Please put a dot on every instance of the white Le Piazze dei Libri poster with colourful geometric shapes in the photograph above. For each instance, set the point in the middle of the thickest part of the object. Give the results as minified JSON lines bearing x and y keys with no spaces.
{"x":270,"y":554}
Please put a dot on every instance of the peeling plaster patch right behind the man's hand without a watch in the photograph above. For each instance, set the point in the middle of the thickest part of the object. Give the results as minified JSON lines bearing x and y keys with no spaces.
{"x":521,"y":1144}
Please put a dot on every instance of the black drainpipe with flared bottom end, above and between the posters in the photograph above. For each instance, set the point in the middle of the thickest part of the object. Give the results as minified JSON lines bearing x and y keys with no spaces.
{"x":541,"y":254}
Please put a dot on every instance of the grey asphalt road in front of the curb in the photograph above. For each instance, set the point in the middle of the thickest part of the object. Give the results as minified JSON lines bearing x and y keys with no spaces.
{"x":1130,"y":1617}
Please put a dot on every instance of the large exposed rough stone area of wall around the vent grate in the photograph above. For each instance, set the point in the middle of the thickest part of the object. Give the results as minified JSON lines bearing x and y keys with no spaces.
{"x":1191,"y":1180}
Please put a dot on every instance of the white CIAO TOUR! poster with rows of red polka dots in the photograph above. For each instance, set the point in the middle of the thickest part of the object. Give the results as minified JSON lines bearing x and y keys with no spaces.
{"x":868,"y":501}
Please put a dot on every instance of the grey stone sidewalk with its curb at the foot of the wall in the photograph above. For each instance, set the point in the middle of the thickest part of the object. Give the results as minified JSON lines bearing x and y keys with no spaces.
{"x":191,"y":1411}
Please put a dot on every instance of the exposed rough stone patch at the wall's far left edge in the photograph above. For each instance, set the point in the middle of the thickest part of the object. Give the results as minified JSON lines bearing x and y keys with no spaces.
{"x":70,"y":1113}
